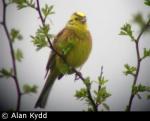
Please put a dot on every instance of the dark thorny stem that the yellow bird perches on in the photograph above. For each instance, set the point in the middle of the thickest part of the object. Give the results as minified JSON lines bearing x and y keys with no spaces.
{"x":62,"y":57}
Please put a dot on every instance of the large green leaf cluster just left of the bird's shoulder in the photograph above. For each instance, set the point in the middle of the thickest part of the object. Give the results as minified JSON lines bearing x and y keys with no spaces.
{"x":40,"y":39}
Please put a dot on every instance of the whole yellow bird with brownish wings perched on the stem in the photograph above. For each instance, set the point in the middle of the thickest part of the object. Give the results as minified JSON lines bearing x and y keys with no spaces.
{"x":75,"y":43}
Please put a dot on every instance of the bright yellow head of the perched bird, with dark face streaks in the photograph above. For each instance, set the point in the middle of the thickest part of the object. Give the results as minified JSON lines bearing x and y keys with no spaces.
{"x":78,"y":20}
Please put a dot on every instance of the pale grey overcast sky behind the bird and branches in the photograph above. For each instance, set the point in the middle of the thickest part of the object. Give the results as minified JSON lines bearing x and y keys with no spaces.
{"x":109,"y":49}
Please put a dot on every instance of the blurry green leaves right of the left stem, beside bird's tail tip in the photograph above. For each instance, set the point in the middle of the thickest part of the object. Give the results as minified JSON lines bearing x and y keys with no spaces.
{"x":29,"y":89}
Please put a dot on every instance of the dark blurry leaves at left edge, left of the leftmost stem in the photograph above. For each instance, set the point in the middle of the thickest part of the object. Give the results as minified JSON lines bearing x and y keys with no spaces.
{"x":6,"y":73}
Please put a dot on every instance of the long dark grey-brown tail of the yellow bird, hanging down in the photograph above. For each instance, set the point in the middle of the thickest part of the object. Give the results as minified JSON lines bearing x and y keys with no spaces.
{"x":42,"y":100}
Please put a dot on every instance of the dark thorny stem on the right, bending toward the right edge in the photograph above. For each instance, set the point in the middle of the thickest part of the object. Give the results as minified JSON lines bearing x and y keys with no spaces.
{"x":139,"y":59}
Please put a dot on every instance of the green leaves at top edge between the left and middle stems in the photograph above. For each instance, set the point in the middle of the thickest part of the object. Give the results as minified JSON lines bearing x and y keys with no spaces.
{"x":23,"y":3}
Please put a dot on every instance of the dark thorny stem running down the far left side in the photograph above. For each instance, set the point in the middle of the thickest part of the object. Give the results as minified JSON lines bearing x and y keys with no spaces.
{"x":14,"y":76}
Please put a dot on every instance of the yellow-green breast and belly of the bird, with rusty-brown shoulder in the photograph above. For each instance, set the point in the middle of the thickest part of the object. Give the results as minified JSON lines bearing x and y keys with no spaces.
{"x":80,"y":51}
